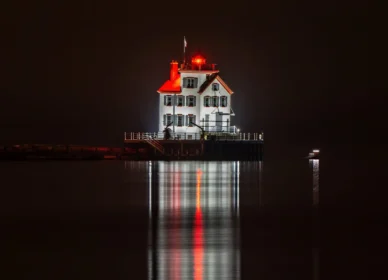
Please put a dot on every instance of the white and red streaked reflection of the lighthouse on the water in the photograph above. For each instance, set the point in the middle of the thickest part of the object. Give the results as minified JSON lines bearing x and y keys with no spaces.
{"x":194,"y":220}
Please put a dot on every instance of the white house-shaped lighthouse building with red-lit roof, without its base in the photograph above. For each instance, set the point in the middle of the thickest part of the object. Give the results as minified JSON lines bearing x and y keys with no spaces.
{"x":195,"y":97}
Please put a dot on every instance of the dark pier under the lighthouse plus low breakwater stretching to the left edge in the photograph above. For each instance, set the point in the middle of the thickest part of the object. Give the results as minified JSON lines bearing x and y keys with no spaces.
{"x":149,"y":146}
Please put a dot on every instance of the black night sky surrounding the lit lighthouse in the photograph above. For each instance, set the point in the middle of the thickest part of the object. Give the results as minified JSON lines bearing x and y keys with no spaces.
{"x":83,"y":72}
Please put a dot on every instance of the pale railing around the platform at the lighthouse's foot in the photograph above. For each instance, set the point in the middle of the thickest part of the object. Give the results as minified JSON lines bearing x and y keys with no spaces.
{"x":148,"y":136}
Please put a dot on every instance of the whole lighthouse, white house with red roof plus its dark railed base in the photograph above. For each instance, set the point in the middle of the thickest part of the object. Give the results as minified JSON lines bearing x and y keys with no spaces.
{"x":195,"y":119}
